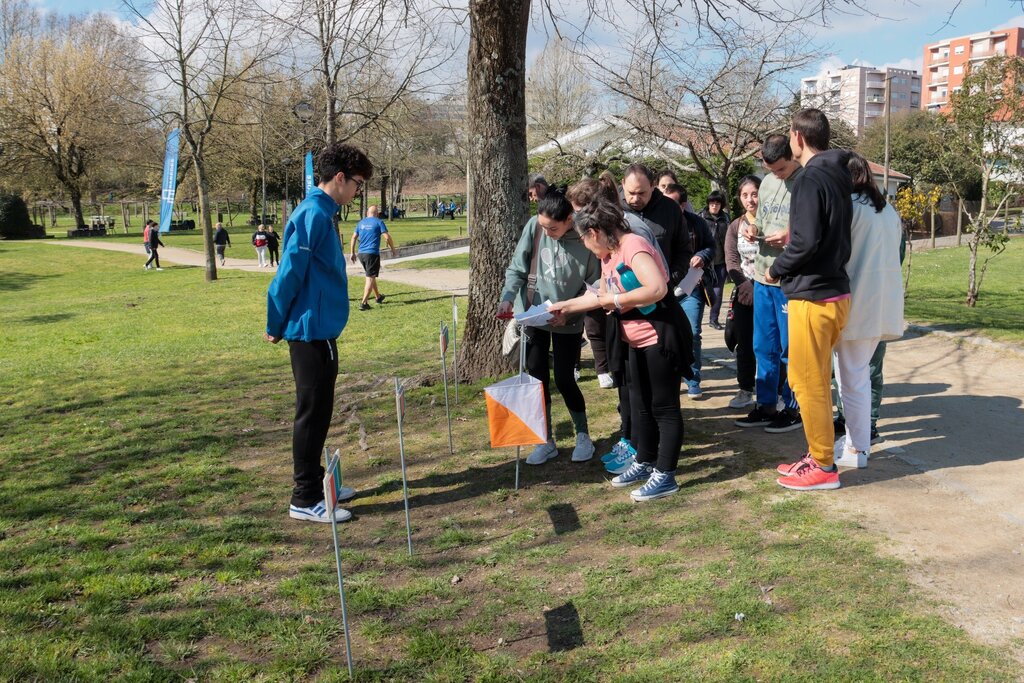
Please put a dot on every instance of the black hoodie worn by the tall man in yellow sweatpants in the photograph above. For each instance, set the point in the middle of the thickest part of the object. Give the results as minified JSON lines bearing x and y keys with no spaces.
{"x":814,"y":266}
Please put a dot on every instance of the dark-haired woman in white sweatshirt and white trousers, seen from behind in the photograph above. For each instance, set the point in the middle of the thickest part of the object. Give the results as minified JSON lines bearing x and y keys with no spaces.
{"x":876,"y":308}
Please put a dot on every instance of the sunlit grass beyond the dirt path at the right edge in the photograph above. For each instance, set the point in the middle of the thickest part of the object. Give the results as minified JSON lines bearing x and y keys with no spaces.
{"x":938,"y":289}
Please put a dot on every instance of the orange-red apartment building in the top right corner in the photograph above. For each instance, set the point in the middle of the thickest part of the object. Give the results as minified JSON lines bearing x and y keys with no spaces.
{"x":947,"y":62}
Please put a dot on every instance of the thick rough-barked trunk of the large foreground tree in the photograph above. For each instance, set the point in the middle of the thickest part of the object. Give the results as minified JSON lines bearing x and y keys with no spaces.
{"x":497,"y":113}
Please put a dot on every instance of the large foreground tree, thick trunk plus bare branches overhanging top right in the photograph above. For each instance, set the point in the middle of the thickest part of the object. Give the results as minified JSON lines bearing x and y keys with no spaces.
{"x":497,"y":132}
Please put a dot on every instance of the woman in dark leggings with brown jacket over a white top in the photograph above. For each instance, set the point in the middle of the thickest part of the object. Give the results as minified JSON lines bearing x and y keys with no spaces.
{"x":740,"y":255}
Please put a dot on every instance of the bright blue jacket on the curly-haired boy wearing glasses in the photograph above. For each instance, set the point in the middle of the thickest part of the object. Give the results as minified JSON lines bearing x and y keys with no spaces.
{"x":309,"y":298}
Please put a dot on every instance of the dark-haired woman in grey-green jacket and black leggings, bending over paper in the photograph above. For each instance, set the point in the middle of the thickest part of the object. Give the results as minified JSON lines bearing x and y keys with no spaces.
{"x":551,"y":264}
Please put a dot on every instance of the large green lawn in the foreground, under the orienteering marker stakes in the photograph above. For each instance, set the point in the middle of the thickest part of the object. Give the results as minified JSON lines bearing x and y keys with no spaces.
{"x":145,"y":476}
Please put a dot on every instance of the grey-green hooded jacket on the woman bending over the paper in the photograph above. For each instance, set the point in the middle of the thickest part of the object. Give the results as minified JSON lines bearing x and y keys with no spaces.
{"x":564,"y":269}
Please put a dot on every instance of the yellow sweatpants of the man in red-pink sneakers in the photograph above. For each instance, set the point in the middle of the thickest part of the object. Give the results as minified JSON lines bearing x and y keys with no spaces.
{"x":815,"y":331}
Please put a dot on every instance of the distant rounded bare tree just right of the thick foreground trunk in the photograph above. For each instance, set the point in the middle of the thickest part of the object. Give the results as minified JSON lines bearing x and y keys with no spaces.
{"x":560,"y":94}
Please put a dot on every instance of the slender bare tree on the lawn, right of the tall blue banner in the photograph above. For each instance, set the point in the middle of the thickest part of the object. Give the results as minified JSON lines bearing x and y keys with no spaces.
{"x":201,"y":54}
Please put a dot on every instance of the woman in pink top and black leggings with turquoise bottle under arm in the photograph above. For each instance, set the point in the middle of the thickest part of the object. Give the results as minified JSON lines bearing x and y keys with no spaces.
{"x":646,"y":322}
